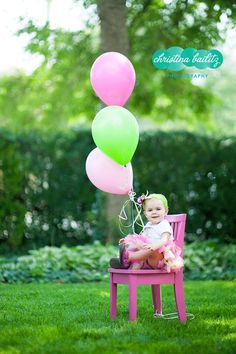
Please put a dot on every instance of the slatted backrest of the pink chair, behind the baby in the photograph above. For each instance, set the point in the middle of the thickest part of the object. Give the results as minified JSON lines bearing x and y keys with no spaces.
{"x":178,"y":222}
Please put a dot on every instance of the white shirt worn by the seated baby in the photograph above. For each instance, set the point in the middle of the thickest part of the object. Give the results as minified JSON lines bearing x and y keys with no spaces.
{"x":154,"y":231}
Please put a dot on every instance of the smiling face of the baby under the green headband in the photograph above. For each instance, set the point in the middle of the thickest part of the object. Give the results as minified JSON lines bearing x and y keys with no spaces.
{"x":154,"y":210}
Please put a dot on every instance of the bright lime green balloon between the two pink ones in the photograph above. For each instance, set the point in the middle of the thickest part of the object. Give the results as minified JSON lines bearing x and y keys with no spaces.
{"x":115,"y":131}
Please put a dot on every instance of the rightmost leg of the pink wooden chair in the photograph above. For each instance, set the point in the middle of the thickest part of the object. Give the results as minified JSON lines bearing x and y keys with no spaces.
{"x":179,"y":296}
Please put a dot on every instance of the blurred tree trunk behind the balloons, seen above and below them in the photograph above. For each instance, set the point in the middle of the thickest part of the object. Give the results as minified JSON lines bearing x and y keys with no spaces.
{"x":114,"y":38}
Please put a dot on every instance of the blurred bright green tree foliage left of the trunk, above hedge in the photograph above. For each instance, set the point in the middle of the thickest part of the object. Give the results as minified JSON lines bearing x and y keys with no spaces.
{"x":59,"y":92}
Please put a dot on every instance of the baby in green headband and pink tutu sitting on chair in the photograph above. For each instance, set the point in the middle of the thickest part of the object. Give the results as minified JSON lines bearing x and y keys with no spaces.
{"x":154,"y":247}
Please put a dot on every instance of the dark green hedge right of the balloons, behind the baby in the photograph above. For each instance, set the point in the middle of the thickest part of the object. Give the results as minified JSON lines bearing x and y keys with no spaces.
{"x":197,"y":175}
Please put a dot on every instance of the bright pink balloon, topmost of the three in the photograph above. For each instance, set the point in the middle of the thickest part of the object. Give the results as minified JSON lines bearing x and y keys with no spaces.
{"x":112,"y":77}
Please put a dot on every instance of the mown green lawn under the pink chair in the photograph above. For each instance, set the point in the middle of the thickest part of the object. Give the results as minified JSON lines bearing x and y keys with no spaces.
{"x":74,"y":318}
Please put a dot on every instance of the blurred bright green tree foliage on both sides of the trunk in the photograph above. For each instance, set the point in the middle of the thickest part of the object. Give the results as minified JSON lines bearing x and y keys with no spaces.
{"x":58,"y":94}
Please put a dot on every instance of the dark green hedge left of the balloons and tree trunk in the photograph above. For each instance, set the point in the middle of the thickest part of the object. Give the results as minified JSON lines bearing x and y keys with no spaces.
{"x":45,"y":194}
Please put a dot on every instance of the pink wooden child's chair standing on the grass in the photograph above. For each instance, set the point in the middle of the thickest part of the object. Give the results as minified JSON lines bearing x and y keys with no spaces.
{"x":153,"y":277}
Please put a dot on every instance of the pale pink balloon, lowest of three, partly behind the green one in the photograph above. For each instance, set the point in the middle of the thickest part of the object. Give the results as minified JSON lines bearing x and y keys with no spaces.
{"x":107,"y":175}
